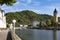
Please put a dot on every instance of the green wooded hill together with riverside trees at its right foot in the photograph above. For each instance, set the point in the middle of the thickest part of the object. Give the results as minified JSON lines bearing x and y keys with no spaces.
{"x":27,"y":17}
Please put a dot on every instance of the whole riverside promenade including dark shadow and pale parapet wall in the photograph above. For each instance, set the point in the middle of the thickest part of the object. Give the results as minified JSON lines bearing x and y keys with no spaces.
{"x":8,"y":35}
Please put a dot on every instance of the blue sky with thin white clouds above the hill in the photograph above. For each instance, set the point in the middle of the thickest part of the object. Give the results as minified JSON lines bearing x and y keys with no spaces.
{"x":38,"y":6}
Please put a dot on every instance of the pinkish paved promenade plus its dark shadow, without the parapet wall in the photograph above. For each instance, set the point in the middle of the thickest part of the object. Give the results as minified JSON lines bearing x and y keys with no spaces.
{"x":5,"y":35}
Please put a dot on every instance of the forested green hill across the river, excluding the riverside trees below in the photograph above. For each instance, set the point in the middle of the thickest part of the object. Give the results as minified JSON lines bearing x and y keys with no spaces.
{"x":26,"y":17}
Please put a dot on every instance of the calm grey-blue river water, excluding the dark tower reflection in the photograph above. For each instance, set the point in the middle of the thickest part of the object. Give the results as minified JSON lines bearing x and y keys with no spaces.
{"x":36,"y":34}
